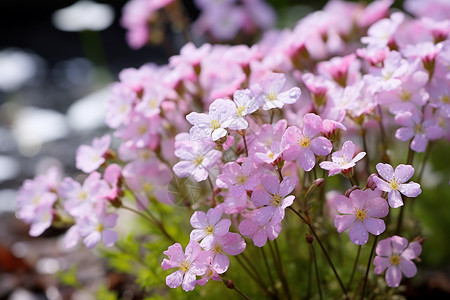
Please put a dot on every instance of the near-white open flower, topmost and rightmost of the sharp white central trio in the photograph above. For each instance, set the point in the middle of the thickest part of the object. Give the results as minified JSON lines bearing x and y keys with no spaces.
{"x":269,"y":95}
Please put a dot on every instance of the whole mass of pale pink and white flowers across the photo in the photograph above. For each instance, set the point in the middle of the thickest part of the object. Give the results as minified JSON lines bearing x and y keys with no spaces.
{"x":254,"y":129}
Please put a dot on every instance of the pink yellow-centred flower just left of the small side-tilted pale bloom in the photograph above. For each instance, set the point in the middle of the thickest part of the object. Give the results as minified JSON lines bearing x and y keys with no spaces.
{"x":302,"y":145}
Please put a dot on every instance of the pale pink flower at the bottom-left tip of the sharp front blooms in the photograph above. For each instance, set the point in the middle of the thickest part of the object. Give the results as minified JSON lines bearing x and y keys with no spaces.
{"x":190,"y":264}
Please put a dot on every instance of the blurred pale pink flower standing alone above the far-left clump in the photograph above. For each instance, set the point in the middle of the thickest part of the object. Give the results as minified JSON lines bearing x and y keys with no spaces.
{"x":90,"y":158}
